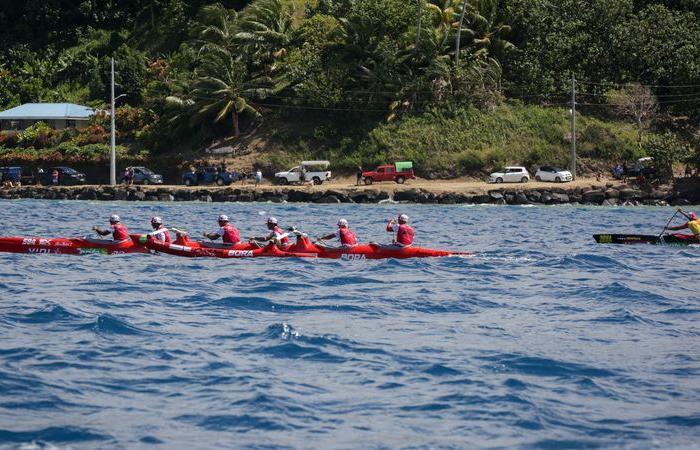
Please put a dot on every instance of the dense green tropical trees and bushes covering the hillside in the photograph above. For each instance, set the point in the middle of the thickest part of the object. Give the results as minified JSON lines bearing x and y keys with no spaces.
{"x":459,"y":86}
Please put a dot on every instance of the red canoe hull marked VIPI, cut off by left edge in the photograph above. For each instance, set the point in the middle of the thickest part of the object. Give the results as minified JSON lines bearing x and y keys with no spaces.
{"x":73,"y":246}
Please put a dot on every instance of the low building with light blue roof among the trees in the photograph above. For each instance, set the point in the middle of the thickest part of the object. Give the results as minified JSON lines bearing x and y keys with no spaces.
{"x":57,"y":115}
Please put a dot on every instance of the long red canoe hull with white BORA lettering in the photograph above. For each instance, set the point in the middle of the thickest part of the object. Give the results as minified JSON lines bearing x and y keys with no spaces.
{"x":303,"y":248}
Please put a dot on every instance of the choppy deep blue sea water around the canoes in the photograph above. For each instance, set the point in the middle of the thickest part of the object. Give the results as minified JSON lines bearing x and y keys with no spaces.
{"x":541,"y":340}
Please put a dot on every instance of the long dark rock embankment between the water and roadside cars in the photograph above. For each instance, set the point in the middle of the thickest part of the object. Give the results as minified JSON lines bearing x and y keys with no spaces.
{"x":606,"y":195}
